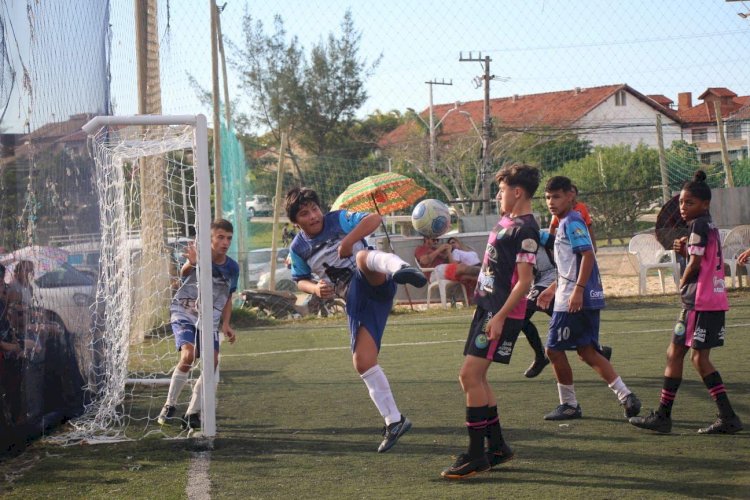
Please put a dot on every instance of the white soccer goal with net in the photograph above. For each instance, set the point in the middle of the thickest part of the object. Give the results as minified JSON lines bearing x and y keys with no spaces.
{"x":153,"y":186}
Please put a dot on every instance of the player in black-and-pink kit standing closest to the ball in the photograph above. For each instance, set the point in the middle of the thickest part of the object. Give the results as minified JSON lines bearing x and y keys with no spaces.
{"x":503,"y":282}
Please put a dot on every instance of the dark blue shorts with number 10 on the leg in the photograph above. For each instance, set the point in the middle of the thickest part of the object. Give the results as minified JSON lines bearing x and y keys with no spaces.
{"x":569,"y":331}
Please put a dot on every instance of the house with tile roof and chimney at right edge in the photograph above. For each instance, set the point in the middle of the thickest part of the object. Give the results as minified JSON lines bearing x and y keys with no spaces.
{"x":700,"y":126}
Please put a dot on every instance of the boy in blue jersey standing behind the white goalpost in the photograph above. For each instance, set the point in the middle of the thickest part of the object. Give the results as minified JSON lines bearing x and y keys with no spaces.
{"x":225,"y":273}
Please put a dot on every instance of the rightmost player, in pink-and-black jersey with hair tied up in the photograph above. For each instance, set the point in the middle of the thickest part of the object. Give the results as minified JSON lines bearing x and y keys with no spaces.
{"x":701,"y":323}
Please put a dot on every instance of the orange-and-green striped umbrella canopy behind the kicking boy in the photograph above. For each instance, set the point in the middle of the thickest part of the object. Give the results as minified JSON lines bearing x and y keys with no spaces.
{"x":381,"y":193}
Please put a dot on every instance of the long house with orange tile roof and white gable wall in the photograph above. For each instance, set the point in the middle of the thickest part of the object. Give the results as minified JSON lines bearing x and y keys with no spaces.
{"x":606,"y":115}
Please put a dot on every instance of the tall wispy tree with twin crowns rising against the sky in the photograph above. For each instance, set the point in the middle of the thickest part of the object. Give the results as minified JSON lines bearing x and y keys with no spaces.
{"x":313,"y":101}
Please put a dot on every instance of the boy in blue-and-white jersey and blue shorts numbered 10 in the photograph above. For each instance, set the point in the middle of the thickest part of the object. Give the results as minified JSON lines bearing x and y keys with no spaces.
{"x":578,"y":298}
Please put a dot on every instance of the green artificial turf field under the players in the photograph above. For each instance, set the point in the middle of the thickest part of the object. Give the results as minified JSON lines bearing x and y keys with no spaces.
{"x":295,"y":421}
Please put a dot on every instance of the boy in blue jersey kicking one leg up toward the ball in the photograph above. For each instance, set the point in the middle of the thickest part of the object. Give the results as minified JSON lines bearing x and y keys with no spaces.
{"x":329,"y":257}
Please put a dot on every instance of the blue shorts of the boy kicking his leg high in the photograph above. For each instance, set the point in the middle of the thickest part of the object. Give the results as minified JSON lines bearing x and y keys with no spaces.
{"x":368,"y":306}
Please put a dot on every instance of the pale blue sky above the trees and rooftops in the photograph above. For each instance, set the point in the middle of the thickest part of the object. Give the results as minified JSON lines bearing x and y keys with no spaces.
{"x":657,"y":47}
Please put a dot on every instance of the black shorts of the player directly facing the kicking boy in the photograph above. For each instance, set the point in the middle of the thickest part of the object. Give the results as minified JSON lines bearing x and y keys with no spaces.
{"x":499,"y":351}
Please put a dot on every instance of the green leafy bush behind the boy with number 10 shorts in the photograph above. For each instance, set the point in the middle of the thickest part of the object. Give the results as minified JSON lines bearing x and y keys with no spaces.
{"x":618,"y":185}
